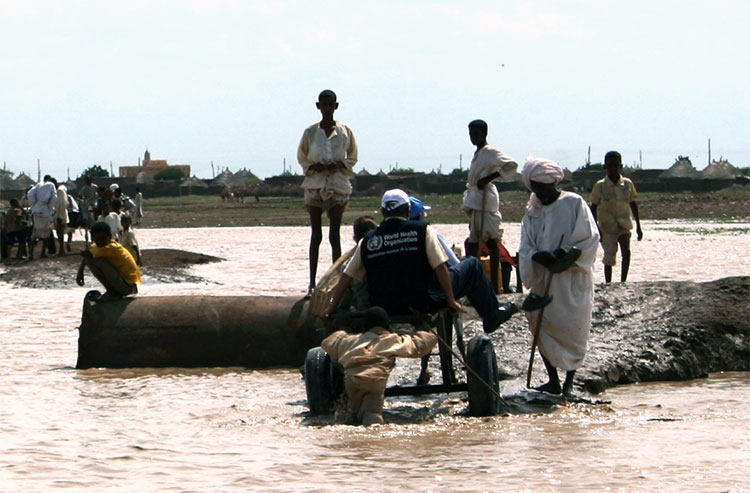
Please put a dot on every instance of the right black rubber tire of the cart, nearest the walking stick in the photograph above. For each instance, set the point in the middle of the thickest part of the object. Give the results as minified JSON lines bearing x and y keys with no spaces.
{"x":480,"y":356}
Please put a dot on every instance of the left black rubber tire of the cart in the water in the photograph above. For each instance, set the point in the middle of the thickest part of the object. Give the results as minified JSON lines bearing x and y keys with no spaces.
{"x":324,"y":381}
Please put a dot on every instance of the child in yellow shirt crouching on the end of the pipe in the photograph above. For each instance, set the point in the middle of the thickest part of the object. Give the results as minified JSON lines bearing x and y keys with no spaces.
{"x":111,"y":264}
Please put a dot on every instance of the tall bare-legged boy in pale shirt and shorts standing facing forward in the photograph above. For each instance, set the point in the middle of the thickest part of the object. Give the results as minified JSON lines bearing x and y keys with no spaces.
{"x":327,"y":153}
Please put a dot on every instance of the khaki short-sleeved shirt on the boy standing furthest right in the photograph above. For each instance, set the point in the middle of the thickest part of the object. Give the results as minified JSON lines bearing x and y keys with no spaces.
{"x":612,"y":201}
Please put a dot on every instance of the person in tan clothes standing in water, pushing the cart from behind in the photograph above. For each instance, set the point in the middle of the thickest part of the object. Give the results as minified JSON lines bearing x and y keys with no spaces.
{"x":368,"y":359}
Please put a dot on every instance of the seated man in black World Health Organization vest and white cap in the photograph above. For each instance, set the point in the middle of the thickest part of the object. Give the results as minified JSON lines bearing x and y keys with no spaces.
{"x":399,"y":260}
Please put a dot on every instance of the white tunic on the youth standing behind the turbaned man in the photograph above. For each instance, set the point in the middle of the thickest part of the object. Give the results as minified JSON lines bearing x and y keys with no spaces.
{"x":486,"y":161}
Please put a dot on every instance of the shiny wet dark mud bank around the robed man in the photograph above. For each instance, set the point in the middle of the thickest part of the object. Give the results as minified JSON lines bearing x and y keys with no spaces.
{"x":650,"y":331}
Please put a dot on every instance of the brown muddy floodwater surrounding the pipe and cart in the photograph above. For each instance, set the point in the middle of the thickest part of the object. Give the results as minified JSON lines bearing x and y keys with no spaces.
{"x":233,"y":429}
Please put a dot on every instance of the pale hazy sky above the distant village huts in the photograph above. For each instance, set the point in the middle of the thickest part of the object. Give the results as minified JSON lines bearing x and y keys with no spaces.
{"x":235,"y":82}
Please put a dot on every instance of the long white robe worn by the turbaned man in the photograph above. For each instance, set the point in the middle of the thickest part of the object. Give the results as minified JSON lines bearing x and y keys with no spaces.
{"x":567,"y":320}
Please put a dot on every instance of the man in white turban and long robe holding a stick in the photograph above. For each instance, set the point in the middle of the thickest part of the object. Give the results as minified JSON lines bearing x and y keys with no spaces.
{"x":556,"y":221}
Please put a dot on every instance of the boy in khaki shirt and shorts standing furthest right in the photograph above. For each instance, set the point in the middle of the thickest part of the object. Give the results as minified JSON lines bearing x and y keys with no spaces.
{"x":612,"y":202}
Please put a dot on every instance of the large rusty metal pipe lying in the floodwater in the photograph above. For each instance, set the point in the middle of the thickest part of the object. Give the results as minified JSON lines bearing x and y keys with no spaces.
{"x":196,"y":331}
